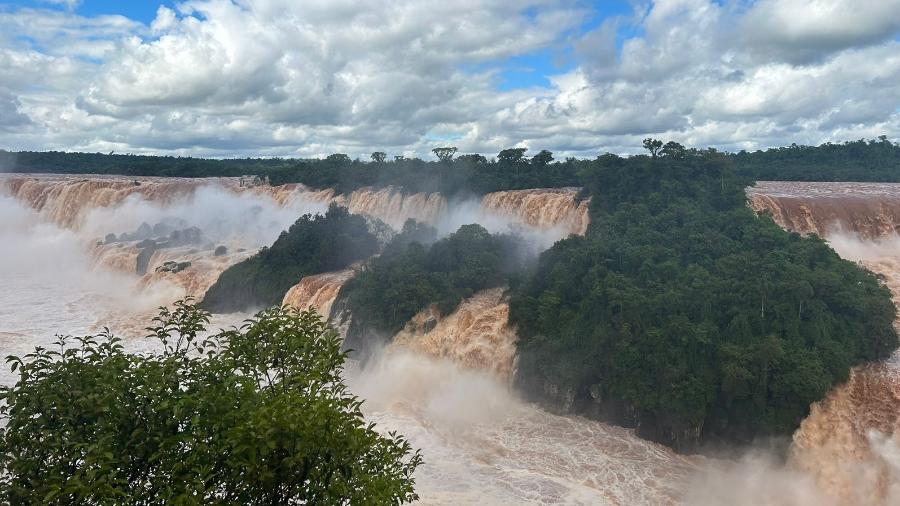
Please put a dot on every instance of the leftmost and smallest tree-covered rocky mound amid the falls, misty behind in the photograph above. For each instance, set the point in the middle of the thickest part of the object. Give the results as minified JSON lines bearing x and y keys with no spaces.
{"x":313,"y":244}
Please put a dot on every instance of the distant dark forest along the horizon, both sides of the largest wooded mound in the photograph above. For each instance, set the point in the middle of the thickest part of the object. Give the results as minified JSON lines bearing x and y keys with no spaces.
{"x":862,"y":160}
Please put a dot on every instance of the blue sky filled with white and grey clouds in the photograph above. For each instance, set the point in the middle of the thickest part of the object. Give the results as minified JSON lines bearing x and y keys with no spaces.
{"x":306,"y":78}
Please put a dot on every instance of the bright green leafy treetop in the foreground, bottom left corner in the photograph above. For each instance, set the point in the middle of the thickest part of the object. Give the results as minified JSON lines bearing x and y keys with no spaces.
{"x":252,"y":415}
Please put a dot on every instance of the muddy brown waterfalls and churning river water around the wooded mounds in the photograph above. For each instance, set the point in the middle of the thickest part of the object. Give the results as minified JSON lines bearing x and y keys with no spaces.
{"x":444,"y":379}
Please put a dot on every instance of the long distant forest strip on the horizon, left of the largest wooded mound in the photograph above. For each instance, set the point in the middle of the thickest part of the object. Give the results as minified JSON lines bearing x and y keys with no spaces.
{"x":511,"y":169}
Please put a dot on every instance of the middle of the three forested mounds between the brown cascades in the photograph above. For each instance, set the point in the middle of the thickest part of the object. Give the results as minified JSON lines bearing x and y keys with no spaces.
{"x":415,"y":270}
